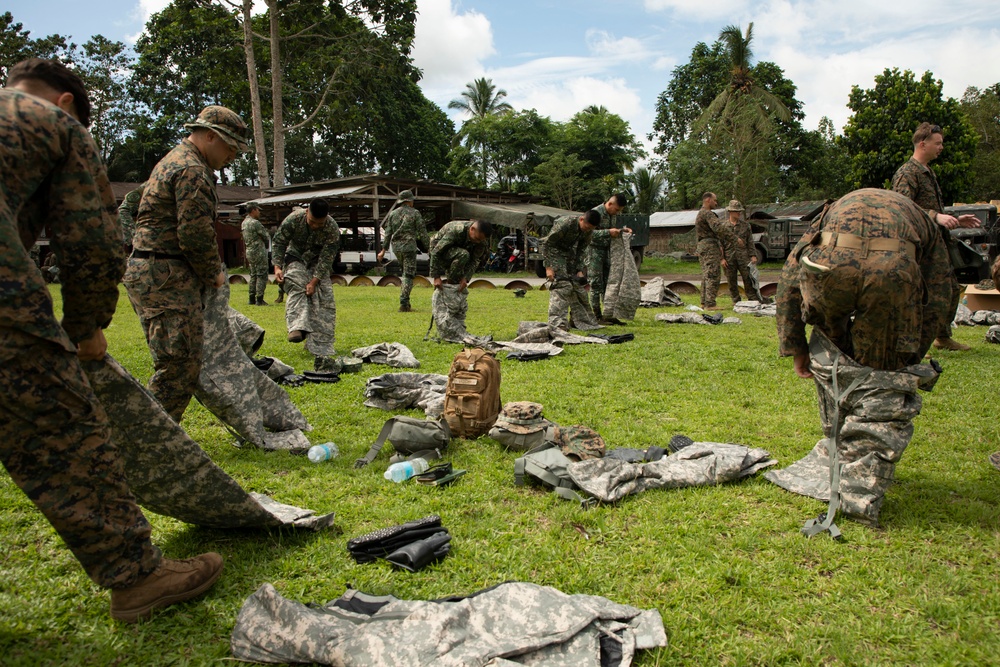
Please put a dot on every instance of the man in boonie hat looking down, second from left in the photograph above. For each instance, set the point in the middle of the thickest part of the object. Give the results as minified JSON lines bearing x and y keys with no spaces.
{"x":176,"y":256}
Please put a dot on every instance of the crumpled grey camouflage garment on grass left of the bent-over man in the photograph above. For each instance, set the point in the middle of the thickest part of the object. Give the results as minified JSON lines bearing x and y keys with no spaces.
{"x":699,"y":464}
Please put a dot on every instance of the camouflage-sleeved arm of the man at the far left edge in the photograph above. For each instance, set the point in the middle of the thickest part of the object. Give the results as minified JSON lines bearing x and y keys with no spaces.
{"x":86,"y":238}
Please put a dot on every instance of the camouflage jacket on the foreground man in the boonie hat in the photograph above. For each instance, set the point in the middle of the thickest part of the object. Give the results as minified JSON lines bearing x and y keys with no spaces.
{"x":177,"y":211}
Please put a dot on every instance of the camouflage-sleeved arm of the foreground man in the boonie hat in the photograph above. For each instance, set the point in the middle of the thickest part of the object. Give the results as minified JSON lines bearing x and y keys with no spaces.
{"x":194,"y":194}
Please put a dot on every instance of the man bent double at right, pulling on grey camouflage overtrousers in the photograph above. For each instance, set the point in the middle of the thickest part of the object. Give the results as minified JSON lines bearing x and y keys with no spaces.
{"x":871,"y":277}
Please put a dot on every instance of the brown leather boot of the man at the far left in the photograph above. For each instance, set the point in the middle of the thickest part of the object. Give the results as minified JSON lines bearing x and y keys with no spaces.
{"x":172,"y":582}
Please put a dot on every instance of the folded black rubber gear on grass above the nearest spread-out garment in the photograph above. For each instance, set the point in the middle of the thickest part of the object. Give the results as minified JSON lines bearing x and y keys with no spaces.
{"x":411,"y":546}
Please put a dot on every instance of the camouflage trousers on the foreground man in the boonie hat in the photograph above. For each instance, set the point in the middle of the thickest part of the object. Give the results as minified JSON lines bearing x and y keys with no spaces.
{"x":167,"y":297}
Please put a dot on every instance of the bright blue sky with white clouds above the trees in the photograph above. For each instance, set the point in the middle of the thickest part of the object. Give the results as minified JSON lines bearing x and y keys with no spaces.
{"x":559,"y":56}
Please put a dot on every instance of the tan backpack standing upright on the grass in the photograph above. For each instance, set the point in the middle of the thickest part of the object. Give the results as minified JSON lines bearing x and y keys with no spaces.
{"x":472,"y":395}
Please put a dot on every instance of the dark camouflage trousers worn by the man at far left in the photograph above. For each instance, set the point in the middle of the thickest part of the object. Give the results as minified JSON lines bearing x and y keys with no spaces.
{"x":54,"y":442}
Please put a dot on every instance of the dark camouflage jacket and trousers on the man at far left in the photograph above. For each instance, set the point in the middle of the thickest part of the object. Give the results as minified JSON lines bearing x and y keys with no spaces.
{"x":54,"y":434}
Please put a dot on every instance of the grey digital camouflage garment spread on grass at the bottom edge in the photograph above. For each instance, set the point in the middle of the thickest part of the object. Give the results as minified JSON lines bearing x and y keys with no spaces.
{"x":508,"y":624}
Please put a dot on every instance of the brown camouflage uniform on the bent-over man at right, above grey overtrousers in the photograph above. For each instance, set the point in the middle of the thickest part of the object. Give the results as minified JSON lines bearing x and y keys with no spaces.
{"x":882,"y":308}
